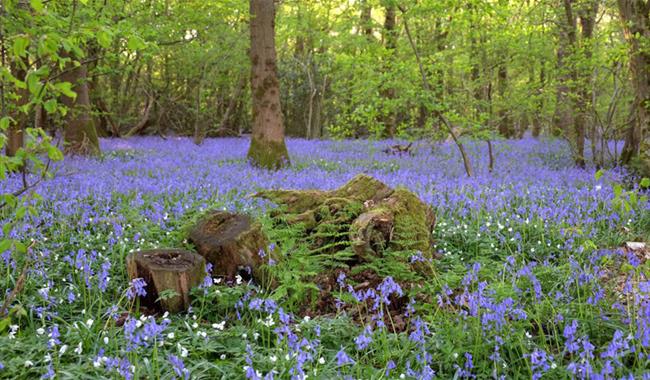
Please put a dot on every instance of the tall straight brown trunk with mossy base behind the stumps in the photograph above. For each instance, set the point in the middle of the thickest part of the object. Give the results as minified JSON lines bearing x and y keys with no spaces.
{"x":268,"y":149}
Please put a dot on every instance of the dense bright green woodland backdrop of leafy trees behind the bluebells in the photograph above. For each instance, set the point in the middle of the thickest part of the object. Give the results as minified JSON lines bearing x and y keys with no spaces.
{"x":367,"y":68}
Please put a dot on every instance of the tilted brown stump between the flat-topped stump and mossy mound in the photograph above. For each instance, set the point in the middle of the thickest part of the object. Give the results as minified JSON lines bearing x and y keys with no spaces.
{"x":232,"y":244}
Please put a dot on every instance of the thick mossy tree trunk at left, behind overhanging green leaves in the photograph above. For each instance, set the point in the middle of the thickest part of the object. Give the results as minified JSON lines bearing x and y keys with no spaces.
{"x":79,"y":134}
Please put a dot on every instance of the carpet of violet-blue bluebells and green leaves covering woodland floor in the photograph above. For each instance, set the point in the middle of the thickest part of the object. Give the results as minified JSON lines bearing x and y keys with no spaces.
{"x":532,"y":283}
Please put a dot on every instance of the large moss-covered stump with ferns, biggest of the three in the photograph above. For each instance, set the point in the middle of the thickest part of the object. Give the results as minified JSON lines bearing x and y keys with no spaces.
{"x":365,"y":216}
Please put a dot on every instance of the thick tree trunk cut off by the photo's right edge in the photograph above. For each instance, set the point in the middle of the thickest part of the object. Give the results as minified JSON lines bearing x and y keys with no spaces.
{"x":636,"y":25}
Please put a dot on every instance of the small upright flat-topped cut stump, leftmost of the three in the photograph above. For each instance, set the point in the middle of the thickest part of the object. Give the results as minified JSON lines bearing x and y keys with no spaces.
{"x":172,"y":271}
